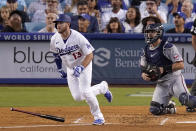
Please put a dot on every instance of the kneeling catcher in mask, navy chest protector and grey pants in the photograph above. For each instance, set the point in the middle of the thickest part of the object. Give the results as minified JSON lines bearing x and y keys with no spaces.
{"x":171,"y":82}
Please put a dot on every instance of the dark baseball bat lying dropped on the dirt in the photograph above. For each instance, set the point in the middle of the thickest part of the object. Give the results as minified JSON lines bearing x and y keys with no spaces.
{"x":55,"y":118}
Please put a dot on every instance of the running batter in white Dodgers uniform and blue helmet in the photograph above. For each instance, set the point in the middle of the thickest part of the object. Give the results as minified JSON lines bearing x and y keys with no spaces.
{"x":74,"y":51}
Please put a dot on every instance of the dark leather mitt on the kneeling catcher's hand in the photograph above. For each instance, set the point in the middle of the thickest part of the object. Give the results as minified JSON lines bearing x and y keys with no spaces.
{"x":153,"y":72}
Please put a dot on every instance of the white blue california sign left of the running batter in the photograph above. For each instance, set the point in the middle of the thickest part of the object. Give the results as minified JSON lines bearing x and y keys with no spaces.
{"x":26,"y":60}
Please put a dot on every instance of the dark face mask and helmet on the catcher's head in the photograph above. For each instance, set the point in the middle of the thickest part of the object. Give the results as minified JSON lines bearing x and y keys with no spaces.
{"x":153,"y":28}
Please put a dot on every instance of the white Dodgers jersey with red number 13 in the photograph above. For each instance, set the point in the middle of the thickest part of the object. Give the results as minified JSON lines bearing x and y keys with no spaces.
{"x":73,"y":50}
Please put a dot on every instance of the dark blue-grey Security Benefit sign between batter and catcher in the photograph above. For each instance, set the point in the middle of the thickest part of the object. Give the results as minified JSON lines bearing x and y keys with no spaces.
{"x":117,"y":60}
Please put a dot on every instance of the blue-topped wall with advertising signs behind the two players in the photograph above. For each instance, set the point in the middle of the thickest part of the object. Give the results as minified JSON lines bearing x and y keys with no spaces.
{"x":25,"y":58}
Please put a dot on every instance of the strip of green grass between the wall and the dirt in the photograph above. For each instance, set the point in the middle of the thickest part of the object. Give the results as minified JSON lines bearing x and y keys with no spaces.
{"x":55,"y":96}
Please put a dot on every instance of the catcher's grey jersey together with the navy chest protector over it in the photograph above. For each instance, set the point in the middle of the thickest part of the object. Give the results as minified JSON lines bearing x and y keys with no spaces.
{"x":164,"y":54}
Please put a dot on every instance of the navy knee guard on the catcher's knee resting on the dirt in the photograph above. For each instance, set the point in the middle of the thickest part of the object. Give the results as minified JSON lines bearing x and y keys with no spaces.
{"x":156,"y":108}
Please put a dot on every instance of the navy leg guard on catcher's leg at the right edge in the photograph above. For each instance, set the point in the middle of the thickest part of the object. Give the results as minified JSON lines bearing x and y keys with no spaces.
{"x":187,"y":100}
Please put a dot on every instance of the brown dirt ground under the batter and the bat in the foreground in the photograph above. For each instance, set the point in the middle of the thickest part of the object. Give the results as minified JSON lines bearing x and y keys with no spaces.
{"x":118,"y":118}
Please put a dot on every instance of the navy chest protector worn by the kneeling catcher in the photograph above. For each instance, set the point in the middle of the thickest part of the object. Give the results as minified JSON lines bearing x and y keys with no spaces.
{"x":156,"y":56}
